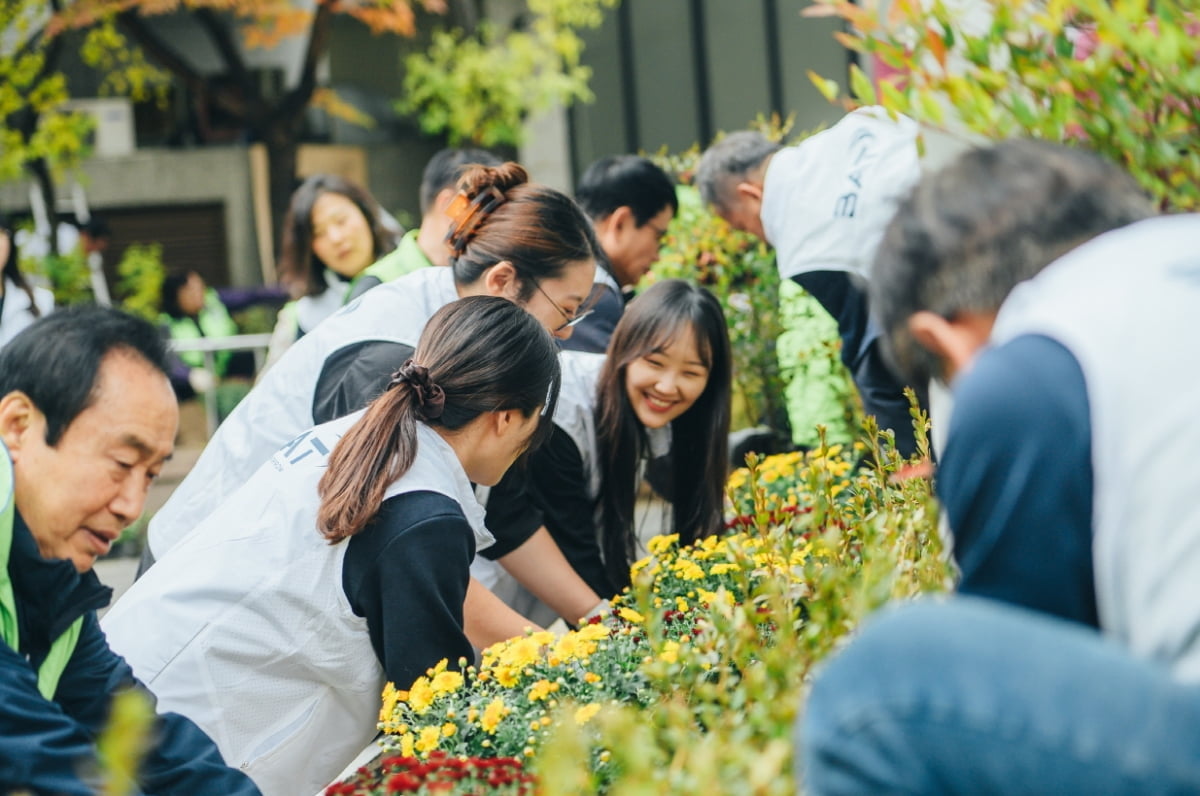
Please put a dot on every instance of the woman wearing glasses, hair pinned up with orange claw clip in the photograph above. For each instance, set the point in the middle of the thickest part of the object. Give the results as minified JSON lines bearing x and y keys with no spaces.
{"x":511,"y":240}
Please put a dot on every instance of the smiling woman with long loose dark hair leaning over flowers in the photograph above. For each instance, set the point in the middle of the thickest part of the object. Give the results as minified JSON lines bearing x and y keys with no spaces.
{"x":662,"y":388}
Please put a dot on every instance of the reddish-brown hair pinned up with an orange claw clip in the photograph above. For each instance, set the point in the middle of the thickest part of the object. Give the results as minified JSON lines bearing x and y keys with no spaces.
{"x":499,"y":216}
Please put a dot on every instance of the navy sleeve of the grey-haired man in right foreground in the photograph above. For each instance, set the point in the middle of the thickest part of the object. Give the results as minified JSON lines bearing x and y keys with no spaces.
{"x":1016,"y":481}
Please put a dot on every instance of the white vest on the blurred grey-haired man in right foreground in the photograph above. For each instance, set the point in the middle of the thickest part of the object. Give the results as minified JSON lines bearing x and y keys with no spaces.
{"x":1126,"y":307}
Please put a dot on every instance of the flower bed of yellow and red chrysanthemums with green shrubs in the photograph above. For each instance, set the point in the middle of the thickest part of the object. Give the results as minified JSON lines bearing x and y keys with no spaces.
{"x":693,"y":683}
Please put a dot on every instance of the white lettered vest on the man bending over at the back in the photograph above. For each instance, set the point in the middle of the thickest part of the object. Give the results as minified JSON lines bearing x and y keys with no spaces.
{"x":827,"y":201}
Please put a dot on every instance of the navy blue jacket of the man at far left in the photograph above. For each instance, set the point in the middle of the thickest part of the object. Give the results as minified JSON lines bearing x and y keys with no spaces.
{"x":49,"y":747}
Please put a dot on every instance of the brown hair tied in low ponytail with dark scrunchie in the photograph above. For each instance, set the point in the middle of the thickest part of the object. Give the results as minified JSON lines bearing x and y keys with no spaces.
{"x":477,"y":355}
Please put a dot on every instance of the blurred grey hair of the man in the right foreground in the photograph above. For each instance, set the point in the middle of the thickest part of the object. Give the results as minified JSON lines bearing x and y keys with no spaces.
{"x":997,"y":217}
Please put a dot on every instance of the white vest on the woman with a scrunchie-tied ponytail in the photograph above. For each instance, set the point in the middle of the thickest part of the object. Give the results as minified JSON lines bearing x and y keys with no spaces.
{"x":244,"y":627}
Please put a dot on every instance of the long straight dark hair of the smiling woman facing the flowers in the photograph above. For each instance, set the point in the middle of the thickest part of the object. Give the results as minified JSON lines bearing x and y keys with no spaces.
{"x":700,"y":436}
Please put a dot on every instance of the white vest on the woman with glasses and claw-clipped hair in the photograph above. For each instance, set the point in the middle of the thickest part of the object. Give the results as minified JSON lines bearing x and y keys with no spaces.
{"x":280,"y":406}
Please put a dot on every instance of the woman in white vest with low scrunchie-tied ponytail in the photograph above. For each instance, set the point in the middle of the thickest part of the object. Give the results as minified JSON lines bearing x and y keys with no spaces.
{"x":344,"y":561}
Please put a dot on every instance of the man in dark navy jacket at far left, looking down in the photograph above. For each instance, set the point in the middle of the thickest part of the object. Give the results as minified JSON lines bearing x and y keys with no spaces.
{"x":87,"y":420}
